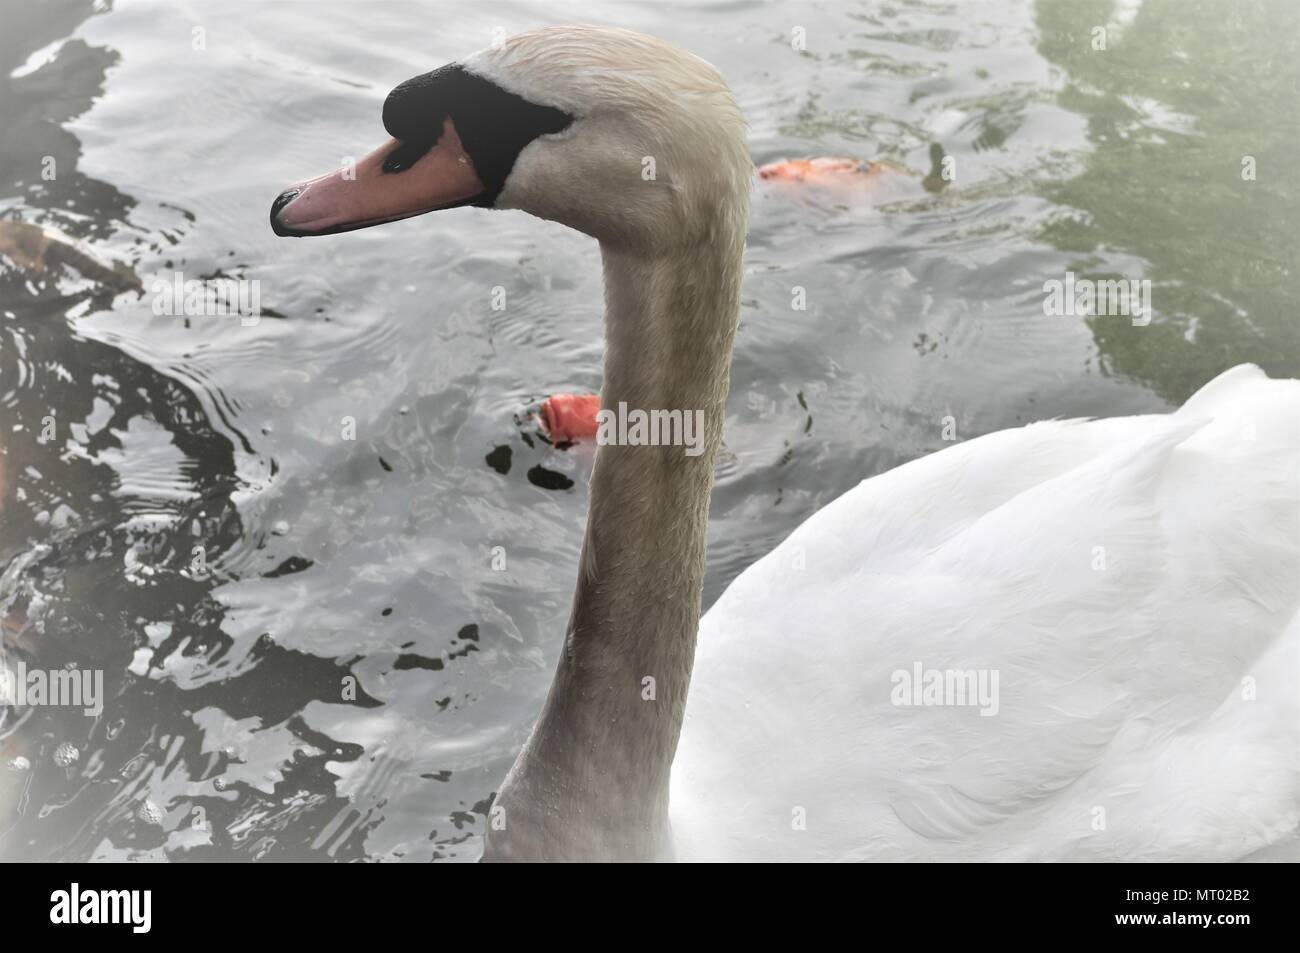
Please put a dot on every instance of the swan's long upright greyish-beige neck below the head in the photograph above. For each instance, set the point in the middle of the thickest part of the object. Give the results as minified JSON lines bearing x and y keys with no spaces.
{"x":592,"y":782}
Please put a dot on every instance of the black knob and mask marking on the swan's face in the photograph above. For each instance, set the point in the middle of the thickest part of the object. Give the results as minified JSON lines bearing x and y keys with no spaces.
{"x":495,"y":125}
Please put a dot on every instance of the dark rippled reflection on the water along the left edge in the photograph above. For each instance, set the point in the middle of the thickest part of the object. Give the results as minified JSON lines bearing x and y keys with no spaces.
{"x":119,"y":523}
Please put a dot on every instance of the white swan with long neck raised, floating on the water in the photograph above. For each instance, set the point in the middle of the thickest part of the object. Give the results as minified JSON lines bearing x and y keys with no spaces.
{"x":1074,"y":640}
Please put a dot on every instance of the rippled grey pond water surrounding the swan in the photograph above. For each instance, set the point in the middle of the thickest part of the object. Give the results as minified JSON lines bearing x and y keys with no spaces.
{"x":231,"y":730}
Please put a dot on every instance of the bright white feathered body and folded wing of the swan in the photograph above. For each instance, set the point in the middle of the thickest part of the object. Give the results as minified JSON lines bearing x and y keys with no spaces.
{"x":1071,"y":640}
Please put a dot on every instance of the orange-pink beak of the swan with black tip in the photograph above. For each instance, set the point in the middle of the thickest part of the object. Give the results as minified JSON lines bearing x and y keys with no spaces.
{"x":396,"y":181}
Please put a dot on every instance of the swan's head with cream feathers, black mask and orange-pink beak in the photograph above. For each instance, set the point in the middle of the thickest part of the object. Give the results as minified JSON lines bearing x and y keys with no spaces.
{"x":617,"y":135}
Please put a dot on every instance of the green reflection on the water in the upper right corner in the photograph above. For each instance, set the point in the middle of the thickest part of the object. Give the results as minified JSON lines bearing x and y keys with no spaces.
{"x":1181,"y":96}
